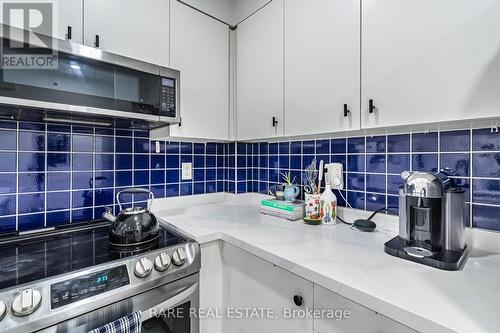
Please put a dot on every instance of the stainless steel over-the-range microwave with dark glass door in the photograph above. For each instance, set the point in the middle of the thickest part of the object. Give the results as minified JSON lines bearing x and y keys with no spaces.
{"x":82,"y":84}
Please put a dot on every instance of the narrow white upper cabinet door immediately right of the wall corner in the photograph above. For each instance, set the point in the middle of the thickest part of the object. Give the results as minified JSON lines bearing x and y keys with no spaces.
{"x":259,"y":73}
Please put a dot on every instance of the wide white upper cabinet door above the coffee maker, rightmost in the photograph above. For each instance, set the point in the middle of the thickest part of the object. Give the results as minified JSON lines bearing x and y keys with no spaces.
{"x":429,"y":61}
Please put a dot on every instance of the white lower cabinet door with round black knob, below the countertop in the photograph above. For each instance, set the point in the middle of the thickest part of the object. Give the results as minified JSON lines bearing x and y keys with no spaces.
{"x":250,"y":282}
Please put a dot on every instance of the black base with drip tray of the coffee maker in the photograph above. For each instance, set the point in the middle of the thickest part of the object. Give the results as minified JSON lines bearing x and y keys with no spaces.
{"x":445,"y":259}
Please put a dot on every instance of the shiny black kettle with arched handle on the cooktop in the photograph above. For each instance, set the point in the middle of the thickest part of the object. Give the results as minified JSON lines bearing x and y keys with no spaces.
{"x":134,"y":225}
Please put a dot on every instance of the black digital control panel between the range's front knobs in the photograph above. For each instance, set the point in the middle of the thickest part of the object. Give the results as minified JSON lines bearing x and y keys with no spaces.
{"x":81,"y":287}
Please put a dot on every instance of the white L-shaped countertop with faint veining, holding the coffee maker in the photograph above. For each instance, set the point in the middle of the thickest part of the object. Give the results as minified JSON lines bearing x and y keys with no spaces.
{"x":350,"y":263}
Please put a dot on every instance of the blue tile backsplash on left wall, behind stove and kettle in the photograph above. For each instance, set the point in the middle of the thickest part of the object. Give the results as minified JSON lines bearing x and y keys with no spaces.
{"x":56,"y":174}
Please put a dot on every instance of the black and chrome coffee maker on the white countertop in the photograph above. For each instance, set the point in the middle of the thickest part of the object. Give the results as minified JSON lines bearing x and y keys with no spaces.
{"x":431,"y":221}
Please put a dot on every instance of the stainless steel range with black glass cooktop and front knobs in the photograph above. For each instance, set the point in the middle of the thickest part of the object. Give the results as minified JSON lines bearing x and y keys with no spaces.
{"x":72,"y":280}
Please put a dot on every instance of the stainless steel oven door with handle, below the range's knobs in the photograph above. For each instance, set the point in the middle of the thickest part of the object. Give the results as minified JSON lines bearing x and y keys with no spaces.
{"x":163,"y":309}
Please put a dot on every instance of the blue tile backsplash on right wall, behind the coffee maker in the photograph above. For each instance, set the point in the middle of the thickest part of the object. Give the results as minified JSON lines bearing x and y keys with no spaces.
{"x":372,"y":166}
